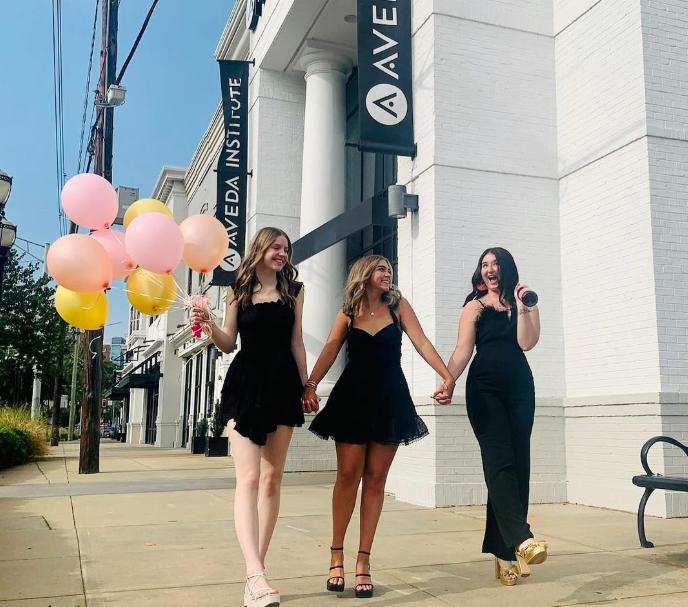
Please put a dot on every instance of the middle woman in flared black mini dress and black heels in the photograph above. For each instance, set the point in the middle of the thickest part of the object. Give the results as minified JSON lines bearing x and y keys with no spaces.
{"x":370,"y":411}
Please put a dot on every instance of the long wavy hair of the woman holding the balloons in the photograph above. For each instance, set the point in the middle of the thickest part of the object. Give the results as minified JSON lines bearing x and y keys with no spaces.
{"x":246,"y":280}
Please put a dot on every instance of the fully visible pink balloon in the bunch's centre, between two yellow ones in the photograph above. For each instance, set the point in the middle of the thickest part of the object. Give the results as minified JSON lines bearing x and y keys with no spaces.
{"x":155,"y":242}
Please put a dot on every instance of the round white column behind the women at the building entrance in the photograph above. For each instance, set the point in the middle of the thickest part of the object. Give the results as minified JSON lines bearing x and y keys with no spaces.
{"x":323,"y":196}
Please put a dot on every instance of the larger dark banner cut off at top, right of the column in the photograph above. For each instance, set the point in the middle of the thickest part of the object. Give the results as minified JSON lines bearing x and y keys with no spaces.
{"x":385,"y":82}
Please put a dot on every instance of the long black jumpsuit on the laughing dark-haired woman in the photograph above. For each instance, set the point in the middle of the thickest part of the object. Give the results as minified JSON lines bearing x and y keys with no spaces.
{"x":500,"y":398}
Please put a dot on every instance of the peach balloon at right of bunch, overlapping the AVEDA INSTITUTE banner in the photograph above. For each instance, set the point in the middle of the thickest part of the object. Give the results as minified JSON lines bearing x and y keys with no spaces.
{"x":205,"y":242}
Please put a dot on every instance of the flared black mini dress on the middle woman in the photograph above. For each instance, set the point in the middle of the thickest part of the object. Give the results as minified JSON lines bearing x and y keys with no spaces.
{"x":371,"y":401}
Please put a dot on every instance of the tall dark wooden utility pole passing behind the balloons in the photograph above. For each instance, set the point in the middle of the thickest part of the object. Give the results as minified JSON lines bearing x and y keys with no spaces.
{"x":89,"y":455}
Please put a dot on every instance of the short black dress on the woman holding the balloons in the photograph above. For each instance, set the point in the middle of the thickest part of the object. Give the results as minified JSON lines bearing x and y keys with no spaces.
{"x":263,"y":387}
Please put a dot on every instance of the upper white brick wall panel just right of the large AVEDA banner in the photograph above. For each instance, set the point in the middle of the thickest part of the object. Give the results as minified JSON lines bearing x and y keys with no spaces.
{"x":494,"y":98}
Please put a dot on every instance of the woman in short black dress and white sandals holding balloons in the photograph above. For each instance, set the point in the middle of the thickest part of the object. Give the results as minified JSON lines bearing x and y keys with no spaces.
{"x":261,"y":395}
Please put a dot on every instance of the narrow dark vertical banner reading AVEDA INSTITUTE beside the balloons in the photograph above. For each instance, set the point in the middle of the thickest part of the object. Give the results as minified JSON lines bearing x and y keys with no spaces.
{"x":232,"y":167}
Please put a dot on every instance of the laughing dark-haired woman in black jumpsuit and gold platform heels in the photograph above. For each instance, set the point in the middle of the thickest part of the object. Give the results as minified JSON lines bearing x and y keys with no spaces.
{"x":500,"y":398}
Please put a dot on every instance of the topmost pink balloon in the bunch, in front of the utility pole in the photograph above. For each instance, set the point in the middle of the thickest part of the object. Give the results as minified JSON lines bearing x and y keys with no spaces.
{"x":90,"y":201}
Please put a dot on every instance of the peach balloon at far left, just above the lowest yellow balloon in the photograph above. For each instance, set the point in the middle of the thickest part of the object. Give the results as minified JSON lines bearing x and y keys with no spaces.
{"x":79,"y":263}
